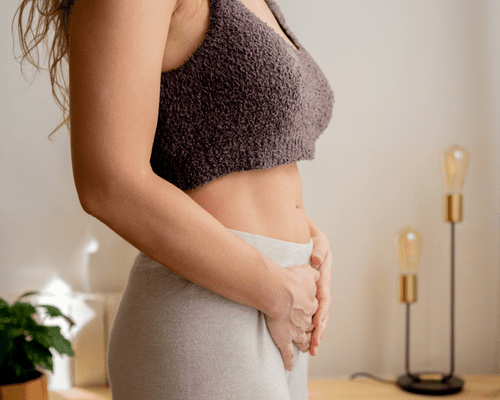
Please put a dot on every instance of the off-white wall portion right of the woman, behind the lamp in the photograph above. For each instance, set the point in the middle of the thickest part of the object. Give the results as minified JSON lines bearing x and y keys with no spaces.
{"x":410,"y":79}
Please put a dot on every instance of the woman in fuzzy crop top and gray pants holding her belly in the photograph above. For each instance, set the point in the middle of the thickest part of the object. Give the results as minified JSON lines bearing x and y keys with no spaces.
{"x":187,"y":120}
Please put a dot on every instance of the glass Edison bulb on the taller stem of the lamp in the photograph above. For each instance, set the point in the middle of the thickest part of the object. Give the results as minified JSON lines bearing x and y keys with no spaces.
{"x":456,"y":161}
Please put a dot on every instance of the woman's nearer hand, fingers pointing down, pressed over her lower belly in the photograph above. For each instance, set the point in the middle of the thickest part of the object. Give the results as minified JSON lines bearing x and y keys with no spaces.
{"x":294,"y":324}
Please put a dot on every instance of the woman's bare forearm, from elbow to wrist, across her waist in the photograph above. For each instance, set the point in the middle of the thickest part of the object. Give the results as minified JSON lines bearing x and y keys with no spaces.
{"x":168,"y":226}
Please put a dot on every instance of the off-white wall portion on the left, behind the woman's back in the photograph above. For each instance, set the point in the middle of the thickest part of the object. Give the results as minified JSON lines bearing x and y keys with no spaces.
{"x":43,"y":229}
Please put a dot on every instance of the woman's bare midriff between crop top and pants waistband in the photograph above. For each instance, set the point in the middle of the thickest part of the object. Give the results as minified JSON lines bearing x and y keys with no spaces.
{"x":266,"y":202}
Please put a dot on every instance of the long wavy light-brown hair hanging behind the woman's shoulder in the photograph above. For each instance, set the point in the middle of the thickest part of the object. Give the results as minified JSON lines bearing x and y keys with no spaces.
{"x":50,"y":13}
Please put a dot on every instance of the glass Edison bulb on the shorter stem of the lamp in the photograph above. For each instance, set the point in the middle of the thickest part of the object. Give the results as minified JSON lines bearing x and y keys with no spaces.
{"x":408,"y":248}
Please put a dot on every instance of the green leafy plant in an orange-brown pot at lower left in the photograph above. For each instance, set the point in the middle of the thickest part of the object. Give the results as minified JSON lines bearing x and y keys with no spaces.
{"x":24,"y":345}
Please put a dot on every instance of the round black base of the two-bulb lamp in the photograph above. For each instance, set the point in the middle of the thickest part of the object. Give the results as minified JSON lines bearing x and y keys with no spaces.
{"x":429,"y":384}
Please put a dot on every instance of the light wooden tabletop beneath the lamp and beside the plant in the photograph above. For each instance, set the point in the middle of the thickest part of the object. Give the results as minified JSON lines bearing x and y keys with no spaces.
{"x":476,"y":387}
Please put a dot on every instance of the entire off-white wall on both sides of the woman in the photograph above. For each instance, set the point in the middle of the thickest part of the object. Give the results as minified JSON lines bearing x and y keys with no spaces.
{"x":410,"y":79}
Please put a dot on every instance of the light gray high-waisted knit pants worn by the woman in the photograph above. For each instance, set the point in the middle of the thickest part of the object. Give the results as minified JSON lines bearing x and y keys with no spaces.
{"x":173,"y":339}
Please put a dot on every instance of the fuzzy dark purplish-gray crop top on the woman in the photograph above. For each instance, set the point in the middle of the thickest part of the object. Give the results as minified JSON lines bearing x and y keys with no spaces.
{"x":245,"y":99}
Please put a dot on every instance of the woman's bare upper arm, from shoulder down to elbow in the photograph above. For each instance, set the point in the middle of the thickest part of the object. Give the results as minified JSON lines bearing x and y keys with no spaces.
{"x":116,"y":54}
